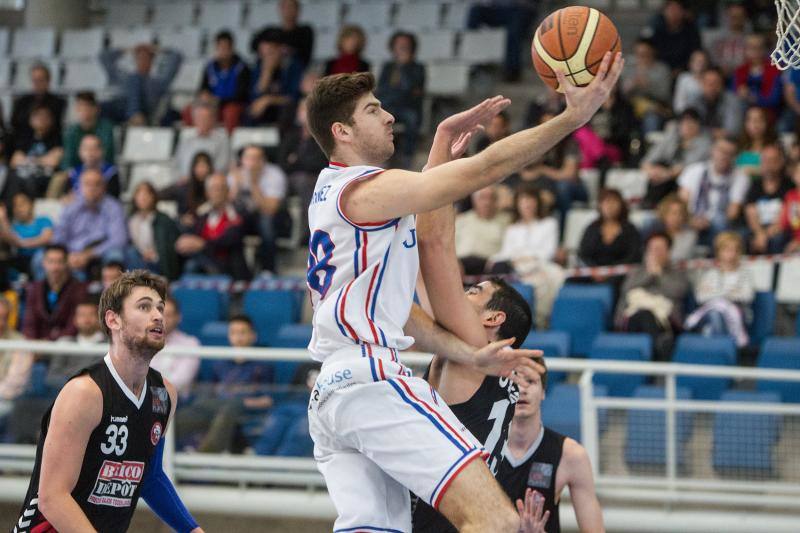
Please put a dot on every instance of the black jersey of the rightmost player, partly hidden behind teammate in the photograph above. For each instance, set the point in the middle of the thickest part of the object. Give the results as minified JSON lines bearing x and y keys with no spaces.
{"x":536,"y":470}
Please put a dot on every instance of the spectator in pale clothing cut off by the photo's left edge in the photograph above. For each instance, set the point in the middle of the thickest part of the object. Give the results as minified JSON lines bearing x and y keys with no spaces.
{"x":15,"y":365}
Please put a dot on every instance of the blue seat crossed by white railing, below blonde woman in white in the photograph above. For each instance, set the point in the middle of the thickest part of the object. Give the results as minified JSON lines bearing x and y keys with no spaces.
{"x":700,"y":350}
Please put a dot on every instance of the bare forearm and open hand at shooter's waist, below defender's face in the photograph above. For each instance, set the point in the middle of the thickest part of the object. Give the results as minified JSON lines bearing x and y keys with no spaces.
{"x":494,"y":359}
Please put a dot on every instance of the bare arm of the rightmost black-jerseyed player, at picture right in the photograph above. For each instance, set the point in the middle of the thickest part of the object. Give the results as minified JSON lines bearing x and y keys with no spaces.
{"x":581,"y":488}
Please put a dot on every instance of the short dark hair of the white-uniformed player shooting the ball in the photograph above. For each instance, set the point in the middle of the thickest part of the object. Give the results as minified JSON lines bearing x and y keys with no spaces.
{"x":334,"y":100}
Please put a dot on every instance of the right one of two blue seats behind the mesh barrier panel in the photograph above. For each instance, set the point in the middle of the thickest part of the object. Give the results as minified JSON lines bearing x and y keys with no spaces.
{"x":744,"y":441}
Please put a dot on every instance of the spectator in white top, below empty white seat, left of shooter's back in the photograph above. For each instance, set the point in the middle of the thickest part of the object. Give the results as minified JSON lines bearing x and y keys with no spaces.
{"x":258,"y":188}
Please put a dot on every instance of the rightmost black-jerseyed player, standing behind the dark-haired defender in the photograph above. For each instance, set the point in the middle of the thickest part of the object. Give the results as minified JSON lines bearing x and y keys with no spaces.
{"x":540,"y":459}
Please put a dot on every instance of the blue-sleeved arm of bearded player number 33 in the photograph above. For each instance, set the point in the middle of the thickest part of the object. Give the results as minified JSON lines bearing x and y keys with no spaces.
{"x":158,"y":490}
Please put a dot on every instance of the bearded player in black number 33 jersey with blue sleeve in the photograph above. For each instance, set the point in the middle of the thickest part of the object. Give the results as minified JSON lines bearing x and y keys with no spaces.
{"x":102,"y":438}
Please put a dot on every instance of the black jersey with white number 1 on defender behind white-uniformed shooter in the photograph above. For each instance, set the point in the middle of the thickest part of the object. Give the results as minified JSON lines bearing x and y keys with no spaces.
{"x":487,"y":415}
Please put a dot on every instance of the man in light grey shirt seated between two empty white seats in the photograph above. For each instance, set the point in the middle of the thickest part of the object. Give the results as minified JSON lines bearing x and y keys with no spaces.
{"x":205,"y":137}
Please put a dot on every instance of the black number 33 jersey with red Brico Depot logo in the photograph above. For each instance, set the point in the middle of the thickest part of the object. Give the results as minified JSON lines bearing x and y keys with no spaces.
{"x":117,"y":455}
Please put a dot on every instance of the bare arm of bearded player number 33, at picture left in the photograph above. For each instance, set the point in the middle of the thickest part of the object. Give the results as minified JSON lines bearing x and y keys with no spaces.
{"x":76,"y":413}
